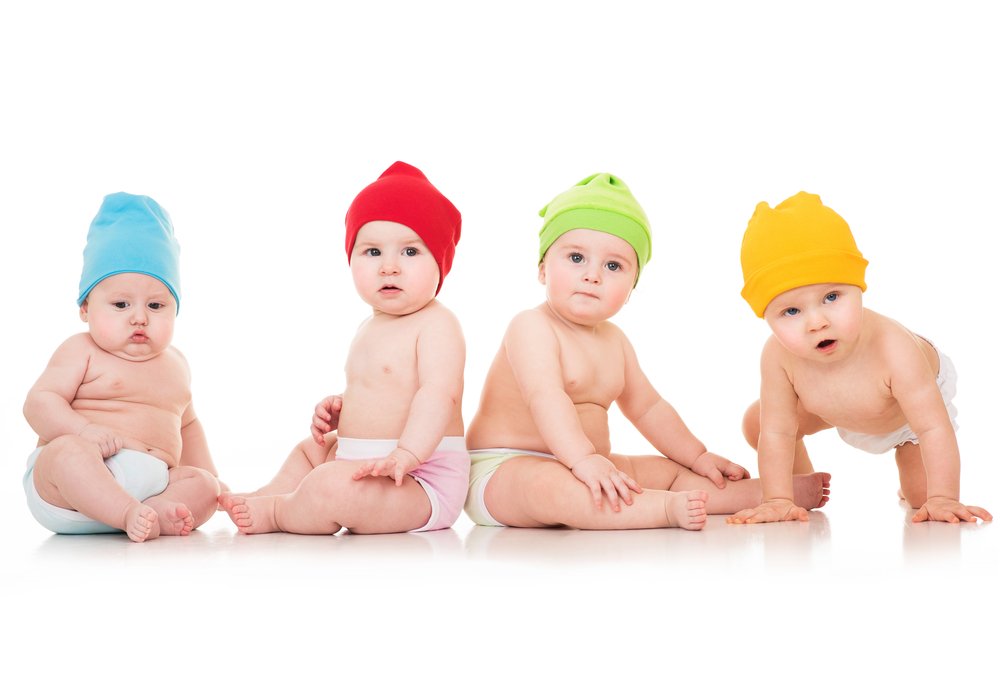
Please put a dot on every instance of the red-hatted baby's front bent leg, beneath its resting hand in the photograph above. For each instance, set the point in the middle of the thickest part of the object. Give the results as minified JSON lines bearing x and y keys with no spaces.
{"x":328,"y":498}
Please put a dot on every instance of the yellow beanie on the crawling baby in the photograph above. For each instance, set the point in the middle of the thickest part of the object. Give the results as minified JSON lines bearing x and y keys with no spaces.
{"x":799,"y":242}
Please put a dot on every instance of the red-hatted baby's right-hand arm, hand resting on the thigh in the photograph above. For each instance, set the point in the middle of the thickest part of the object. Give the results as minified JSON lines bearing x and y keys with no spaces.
{"x":440,"y":376}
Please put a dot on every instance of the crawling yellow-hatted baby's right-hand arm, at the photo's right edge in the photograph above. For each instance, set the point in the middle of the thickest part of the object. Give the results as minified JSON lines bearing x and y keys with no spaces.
{"x":914,"y":386}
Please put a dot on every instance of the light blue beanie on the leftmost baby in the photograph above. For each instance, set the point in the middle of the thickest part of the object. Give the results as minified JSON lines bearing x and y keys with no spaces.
{"x":131,"y":234}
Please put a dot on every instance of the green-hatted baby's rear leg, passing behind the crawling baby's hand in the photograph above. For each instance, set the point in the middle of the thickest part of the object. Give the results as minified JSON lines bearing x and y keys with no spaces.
{"x":656,"y":472}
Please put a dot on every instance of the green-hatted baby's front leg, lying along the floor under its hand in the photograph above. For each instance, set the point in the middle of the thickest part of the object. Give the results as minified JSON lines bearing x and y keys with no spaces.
{"x":536,"y":492}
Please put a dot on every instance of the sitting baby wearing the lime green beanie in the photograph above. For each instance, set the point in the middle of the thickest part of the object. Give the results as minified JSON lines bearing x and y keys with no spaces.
{"x":541,"y":447}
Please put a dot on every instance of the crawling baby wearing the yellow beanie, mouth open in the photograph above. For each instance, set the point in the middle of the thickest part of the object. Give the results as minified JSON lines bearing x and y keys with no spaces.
{"x":833,"y":363}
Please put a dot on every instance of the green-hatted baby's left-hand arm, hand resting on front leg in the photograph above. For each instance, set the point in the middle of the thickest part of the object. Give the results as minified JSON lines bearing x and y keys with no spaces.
{"x":534,"y":355}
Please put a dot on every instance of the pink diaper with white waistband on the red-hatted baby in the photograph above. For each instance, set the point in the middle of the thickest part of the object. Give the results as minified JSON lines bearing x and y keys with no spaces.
{"x":444,"y":476}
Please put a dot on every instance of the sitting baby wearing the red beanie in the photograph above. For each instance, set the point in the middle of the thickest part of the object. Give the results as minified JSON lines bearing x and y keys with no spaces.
{"x":397,"y":461}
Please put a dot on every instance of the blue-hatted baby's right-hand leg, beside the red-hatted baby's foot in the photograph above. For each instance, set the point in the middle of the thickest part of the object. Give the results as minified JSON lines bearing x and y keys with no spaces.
{"x":190,"y":499}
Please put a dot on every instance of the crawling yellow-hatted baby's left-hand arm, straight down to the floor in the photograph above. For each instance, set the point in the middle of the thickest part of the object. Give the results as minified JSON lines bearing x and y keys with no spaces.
{"x":776,"y":445}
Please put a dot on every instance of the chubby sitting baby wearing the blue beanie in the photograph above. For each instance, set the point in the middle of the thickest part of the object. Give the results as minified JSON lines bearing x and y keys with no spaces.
{"x":120,"y":447}
